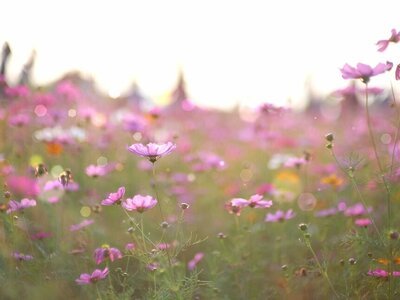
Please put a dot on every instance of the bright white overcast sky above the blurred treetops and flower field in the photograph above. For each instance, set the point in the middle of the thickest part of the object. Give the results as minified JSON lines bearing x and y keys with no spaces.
{"x":230,"y":51}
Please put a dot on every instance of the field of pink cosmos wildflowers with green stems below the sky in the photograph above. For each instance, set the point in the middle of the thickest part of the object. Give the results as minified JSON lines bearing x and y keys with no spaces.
{"x":105,"y":199}
